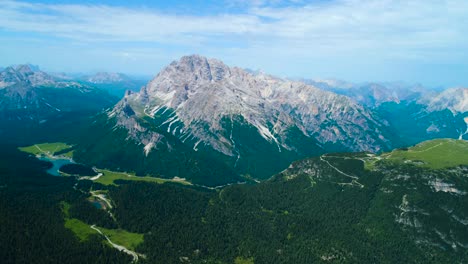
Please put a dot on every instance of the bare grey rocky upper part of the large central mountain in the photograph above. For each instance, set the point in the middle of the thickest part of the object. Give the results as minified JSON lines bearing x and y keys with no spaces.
{"x":202,"y":92}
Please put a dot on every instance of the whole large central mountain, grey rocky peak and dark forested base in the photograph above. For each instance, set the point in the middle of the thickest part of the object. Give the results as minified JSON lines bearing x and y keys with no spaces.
{"x":198,"y":114}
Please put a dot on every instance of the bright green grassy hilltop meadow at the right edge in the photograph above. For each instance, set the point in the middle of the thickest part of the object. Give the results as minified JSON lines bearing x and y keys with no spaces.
{"x":434,"y":154}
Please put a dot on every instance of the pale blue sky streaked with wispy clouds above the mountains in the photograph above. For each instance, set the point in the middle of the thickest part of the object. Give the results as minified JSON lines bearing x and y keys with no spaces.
{"x":416,"y":41}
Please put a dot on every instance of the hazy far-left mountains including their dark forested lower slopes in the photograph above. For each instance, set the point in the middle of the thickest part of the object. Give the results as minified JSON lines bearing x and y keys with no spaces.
{"x":36,"y":106}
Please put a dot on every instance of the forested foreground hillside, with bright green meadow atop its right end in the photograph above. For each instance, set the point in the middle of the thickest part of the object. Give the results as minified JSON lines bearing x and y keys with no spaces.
{"x":405,"y":206}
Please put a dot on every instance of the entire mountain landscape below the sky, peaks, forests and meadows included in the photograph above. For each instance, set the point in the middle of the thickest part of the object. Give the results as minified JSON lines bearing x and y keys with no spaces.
{"x":197,"y":129}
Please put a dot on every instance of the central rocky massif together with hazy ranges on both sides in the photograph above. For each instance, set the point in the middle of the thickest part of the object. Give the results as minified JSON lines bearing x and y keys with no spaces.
{"x":249,"y":125}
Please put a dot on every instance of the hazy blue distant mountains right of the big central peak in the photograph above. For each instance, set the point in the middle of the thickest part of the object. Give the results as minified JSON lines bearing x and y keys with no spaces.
{"x":414,"y":112}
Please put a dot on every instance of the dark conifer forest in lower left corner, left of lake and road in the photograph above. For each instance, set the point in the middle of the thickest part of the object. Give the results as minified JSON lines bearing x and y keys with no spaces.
{"x":32,"y":224}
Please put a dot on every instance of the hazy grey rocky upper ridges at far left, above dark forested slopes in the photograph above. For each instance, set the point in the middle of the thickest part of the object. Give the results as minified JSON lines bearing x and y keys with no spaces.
{"x":27,"y":92}
